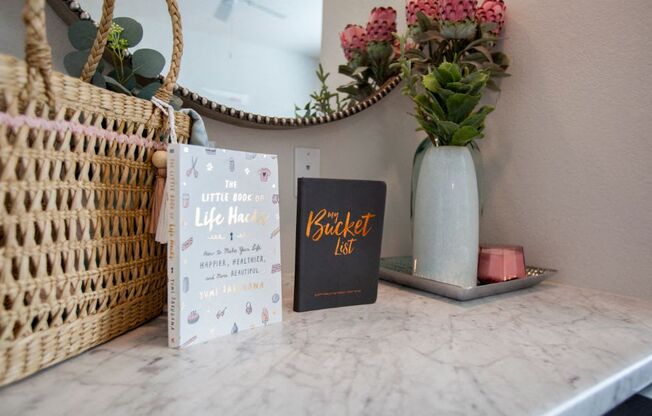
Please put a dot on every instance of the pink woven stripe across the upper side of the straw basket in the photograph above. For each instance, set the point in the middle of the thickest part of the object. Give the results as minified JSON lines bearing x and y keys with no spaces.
{"x":63,"y":126}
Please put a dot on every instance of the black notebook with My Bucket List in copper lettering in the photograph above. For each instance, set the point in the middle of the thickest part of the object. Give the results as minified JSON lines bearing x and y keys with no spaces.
{"x":339,"y":233}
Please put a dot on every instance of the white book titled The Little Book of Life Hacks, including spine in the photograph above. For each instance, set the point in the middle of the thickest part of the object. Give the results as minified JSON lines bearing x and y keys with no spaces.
{"x":224,"y":255}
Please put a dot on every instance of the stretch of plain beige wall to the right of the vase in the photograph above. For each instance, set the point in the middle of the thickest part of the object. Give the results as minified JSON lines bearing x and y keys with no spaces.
{"x":569,"y":149}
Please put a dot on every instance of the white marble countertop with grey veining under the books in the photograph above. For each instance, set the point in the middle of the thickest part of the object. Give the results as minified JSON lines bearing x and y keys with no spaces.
{"x":548,"y":350}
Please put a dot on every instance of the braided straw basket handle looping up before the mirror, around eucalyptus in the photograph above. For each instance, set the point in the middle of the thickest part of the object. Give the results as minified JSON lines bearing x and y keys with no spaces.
{"x":165,"y":92}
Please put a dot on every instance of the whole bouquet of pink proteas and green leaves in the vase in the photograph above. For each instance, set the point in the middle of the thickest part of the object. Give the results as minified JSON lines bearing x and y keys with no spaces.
{"x":447,"y":61}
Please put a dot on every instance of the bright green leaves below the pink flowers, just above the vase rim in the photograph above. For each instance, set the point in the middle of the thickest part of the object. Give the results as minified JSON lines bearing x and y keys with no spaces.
{"x":445,"y":101}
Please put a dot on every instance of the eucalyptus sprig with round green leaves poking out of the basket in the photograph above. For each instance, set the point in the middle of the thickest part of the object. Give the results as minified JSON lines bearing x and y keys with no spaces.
{"x":120,"y":71}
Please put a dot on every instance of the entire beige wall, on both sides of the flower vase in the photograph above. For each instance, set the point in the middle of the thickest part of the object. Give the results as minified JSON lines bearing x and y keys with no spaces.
{"x":568,"y":151}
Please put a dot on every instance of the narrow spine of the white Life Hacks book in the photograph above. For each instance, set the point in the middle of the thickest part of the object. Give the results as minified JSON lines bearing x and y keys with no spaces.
{"x":174,"y":261}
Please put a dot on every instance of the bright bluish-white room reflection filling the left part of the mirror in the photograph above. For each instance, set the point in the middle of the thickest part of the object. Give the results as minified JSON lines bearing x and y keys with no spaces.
{"x":257,"y":56}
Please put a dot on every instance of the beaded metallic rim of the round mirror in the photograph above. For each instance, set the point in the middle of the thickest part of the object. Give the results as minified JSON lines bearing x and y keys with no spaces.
{"x":71,"y":11}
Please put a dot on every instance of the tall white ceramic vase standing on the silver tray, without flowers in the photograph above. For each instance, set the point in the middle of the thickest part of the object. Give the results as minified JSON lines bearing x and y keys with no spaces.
{"x":446,"y":217}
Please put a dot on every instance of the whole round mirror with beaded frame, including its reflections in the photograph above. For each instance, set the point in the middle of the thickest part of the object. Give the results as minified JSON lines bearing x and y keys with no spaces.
{"x":267,"y":63}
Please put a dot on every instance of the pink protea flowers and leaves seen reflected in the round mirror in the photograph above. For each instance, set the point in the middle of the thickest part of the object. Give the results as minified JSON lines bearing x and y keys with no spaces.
{"x":369,"y":53}
